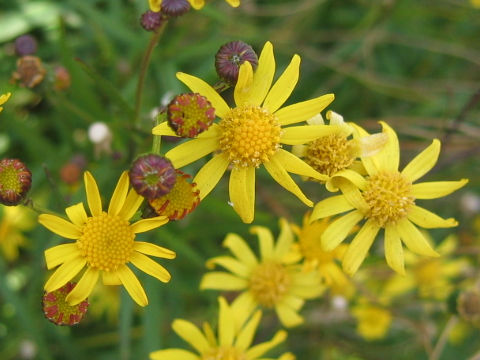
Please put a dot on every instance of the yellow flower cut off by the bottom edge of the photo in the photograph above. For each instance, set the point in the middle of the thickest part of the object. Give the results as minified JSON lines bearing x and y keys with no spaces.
{"x":230,"y":344}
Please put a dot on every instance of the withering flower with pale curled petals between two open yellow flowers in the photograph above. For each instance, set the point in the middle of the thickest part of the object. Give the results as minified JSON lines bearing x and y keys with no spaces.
{"x":335,"y":152}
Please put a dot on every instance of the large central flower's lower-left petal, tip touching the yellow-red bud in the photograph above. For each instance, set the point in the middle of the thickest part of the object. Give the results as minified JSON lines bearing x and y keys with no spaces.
{"x":211,"y":173}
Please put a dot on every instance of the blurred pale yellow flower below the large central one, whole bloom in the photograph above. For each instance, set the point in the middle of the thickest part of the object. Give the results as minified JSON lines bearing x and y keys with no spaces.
{"x":272,"y":281}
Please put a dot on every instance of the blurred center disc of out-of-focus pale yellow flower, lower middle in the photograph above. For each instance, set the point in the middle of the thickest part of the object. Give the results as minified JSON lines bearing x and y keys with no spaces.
{"x":269,"y":282}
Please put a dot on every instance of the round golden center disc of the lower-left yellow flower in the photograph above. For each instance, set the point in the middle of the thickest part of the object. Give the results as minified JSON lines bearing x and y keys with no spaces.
{"x":107,"y":242}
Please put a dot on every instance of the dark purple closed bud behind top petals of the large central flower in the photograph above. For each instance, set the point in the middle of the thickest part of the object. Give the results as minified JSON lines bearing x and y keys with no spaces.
{"x":229,"y":58}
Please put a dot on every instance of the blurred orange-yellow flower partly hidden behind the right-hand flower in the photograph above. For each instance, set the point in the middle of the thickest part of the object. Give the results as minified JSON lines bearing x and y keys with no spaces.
{"x":314,"y":257}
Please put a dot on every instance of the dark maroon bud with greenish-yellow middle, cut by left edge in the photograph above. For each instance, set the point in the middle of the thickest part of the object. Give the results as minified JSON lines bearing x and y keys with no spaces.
{"x":15,"y":181}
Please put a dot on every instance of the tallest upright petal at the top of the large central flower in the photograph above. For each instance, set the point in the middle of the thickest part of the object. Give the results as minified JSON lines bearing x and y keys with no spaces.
{"x":262,"y":79}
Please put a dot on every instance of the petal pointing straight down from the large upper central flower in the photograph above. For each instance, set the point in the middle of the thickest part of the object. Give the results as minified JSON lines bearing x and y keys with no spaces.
{"x":242,"y":192}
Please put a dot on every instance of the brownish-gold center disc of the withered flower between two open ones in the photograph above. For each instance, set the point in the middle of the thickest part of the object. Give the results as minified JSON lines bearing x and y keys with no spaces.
{"x":330,"y":154}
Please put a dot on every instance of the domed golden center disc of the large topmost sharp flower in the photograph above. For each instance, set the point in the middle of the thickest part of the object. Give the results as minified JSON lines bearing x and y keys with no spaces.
{"x":250,"y":136}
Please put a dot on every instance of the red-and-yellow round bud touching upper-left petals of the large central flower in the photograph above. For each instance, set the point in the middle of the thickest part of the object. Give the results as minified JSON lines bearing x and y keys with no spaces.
{"x":190,"y":114}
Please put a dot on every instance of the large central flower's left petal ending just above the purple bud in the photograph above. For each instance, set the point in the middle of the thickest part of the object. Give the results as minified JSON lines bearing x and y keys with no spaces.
{"x":191,"y":151}
